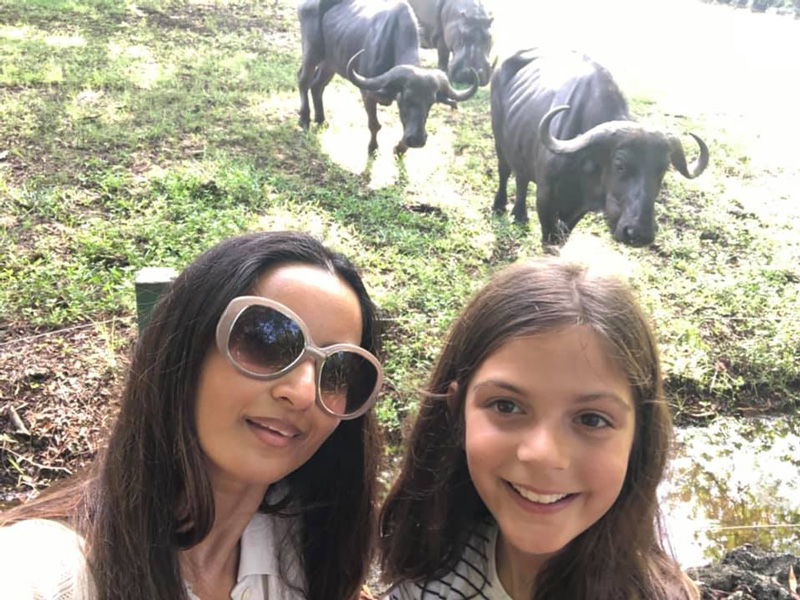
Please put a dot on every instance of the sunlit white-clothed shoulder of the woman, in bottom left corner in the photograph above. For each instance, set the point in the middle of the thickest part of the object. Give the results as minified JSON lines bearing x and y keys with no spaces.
{"x":44,"y":559}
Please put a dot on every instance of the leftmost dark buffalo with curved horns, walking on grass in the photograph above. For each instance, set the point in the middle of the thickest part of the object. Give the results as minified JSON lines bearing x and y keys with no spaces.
{"x":375,"y":44}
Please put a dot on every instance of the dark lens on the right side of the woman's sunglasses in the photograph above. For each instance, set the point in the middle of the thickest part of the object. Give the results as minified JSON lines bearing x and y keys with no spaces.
{"x":347,"y":381}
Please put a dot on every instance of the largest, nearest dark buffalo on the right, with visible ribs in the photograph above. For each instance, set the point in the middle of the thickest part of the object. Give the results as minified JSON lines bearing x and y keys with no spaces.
{"x":560,"y":120}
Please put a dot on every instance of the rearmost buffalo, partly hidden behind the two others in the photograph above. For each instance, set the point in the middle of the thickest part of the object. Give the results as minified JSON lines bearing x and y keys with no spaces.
{"x":460,"y":28}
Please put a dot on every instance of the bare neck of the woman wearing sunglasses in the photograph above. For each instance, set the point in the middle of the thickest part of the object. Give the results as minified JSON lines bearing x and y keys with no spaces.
{"x":210,"y":567}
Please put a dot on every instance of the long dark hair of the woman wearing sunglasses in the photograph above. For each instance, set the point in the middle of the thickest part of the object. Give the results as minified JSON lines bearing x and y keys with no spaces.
{"x":148,"y":493}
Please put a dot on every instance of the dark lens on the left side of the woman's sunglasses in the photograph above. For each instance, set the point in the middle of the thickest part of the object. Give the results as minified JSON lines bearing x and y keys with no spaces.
{"x":264,"y":340}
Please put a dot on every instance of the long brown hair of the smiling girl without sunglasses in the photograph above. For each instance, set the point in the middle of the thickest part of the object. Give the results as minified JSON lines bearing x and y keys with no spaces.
{"x":433,"y":505}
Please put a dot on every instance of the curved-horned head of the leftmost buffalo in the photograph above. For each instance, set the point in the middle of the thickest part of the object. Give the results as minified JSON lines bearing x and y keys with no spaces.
{"x":415,"y":89}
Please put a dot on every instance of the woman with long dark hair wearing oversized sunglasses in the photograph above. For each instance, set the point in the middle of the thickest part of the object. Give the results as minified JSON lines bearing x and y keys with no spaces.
{"x":243,"y":461}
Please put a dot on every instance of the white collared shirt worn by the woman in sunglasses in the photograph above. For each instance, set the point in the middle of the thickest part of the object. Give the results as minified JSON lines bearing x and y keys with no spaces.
{"x":43,"y":560}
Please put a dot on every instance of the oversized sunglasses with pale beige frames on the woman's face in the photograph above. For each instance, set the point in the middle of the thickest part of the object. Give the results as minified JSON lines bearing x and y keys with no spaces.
{"x":264,"y":339}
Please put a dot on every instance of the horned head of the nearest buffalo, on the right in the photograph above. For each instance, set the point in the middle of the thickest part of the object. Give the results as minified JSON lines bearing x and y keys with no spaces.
{"x":623,"y":166}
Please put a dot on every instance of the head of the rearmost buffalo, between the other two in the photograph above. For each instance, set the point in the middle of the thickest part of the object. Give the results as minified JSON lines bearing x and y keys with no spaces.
{"x":471,"y":44}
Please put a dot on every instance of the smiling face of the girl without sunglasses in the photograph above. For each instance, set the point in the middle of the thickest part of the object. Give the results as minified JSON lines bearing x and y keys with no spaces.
{"x":549,"y":427}
